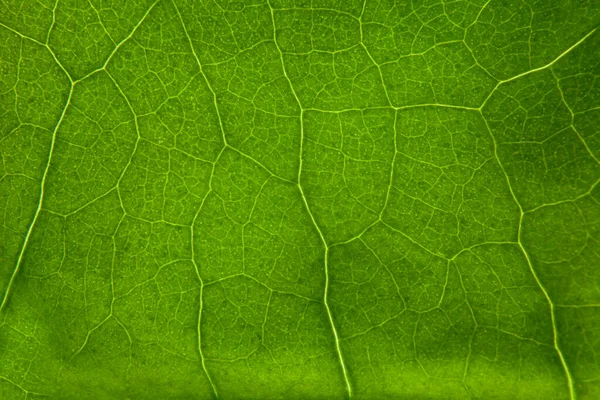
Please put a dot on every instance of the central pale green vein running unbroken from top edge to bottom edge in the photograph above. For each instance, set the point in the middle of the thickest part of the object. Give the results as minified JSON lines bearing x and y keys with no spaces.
{"x":305,"y":200}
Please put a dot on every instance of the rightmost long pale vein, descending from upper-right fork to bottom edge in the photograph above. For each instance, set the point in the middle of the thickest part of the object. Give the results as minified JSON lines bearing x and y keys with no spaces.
{"x":570,"y":382}
